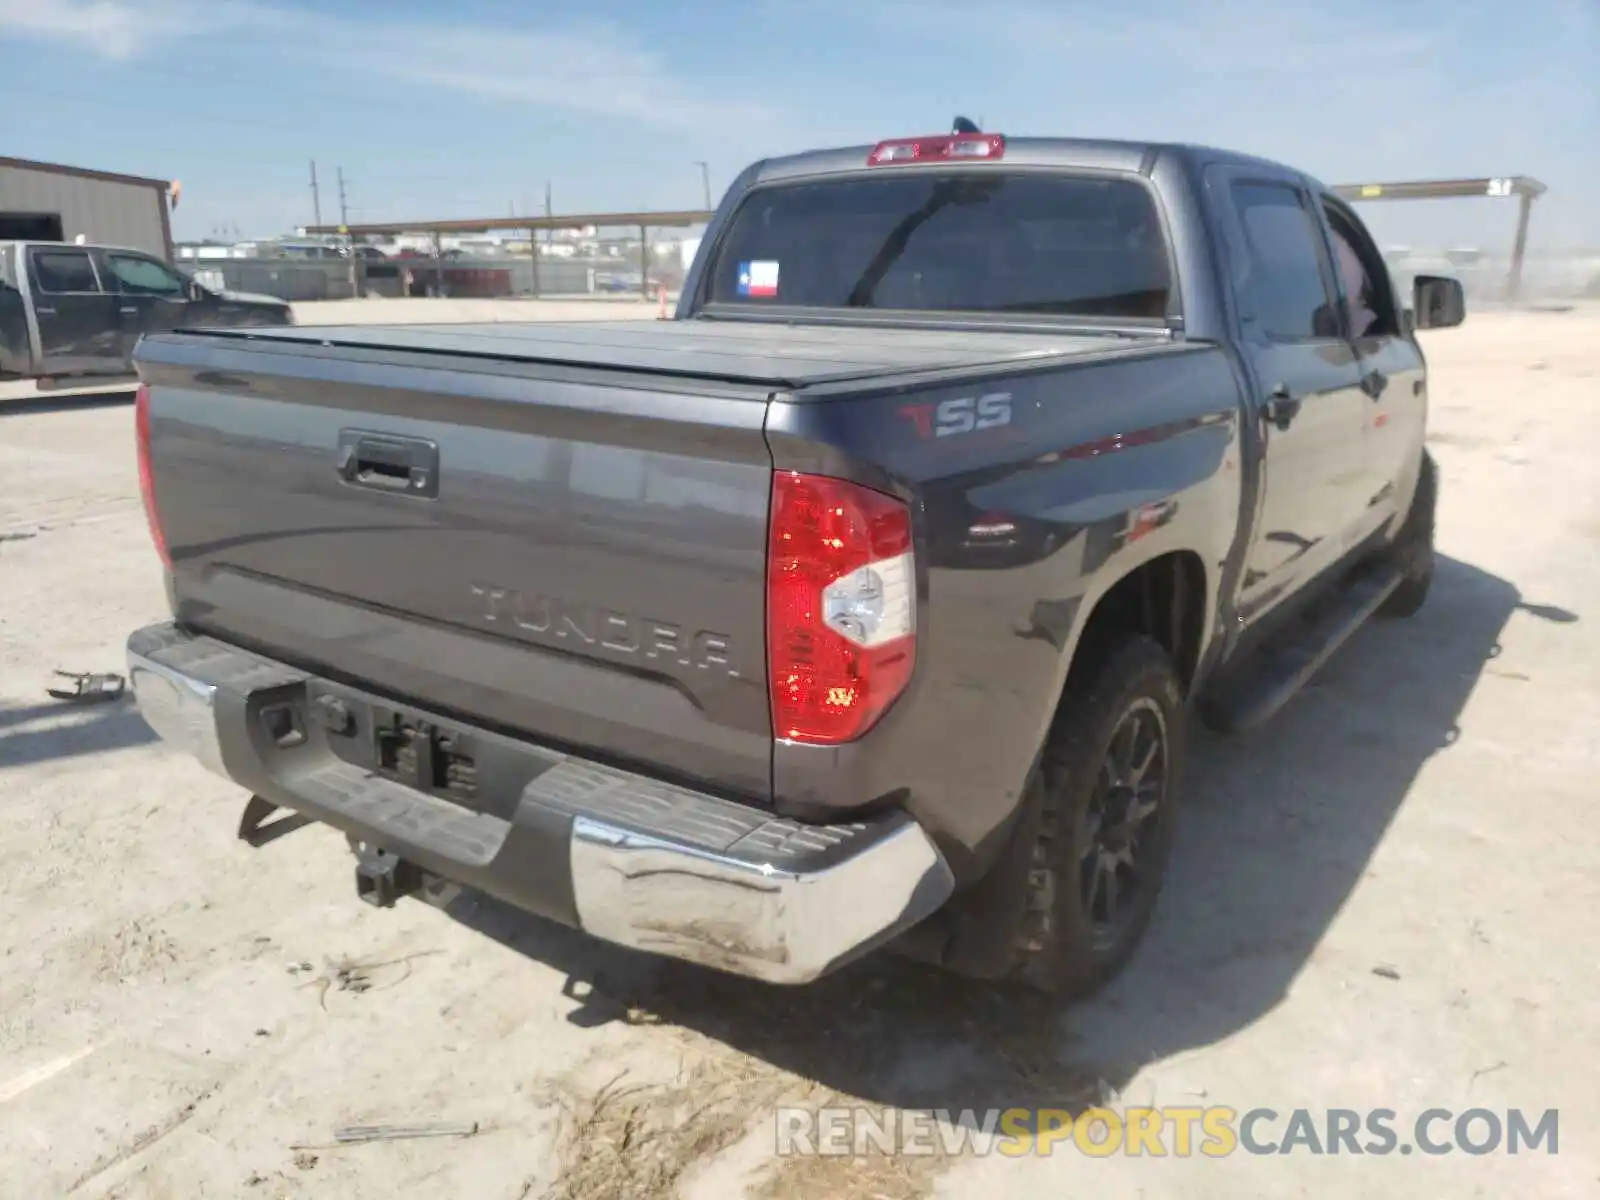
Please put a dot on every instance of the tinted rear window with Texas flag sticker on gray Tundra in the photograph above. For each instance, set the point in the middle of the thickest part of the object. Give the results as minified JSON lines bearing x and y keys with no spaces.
{"x":991,"y":242}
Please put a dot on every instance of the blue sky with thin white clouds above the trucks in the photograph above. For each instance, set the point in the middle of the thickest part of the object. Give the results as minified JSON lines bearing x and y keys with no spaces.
{"x":473,"y":108}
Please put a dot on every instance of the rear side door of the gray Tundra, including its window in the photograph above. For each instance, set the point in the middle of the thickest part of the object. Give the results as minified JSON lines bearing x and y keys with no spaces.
{"x":1308,"y":385}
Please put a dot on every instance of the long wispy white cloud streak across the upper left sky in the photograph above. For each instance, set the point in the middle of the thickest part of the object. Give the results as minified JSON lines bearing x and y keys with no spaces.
{"x":586,"y":70}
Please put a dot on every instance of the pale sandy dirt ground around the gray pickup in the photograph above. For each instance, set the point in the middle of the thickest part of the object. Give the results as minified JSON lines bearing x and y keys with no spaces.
{"x":185,"y":1017}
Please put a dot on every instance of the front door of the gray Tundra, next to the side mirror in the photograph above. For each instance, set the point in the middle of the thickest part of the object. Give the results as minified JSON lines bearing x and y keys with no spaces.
{"x":1391,"y":362}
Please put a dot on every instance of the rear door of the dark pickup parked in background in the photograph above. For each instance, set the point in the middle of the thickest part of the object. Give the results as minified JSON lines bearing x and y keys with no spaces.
{"x":79,"y":324}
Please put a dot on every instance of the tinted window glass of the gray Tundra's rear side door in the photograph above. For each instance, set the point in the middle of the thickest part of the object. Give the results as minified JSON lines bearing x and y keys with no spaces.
{"x":1286,"y":286}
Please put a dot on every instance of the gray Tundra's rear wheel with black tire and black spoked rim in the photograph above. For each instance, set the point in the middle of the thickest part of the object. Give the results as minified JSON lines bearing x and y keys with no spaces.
{"x":1065,"y":946}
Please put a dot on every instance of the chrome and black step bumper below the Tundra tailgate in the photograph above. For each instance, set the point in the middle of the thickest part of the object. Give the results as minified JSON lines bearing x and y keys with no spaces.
{"x":626,"y":858}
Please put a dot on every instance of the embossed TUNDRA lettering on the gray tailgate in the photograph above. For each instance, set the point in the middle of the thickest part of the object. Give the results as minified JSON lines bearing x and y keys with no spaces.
{"x":558,"y":622}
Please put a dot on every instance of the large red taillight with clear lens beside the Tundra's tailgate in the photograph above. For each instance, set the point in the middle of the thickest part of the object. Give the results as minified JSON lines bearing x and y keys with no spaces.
{"x":841,"y":607}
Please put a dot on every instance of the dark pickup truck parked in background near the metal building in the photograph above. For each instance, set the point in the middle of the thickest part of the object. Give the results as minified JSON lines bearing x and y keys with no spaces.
{"x":79,"y":311}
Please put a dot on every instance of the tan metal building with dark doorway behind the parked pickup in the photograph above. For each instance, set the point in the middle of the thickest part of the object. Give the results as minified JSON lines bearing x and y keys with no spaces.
{"x":47,"y":202}
